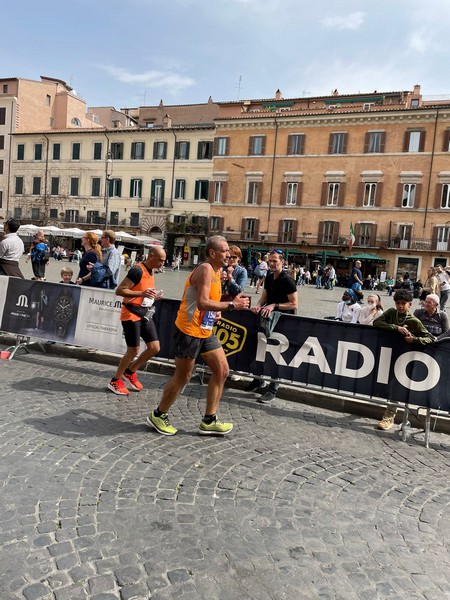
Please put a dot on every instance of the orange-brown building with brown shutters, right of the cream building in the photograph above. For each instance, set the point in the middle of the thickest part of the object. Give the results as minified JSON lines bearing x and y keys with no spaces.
{"x":300,"y":174}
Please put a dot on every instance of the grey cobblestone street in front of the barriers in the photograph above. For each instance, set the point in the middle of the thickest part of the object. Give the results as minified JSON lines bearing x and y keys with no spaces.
{"x":297,"y":503}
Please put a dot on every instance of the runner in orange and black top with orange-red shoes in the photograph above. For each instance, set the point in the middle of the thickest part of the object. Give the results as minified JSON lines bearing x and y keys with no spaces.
{"x":138,"y":291}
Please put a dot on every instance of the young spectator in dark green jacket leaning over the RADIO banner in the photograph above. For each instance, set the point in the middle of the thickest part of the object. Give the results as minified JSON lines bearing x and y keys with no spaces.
{"x":413,"y":332}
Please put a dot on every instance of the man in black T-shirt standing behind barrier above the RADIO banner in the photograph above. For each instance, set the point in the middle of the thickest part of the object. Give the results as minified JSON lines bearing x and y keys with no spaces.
{"x":279,"y":294}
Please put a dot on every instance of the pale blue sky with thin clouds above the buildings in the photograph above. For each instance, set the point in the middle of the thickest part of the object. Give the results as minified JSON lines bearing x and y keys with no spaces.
{"x":137,"y":52}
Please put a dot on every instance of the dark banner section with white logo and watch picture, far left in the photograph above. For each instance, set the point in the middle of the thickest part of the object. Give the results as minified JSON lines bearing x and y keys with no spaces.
{"x":41,"y":310}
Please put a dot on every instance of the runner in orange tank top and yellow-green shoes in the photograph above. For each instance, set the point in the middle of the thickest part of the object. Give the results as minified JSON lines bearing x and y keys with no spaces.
{"x":199,"y":308}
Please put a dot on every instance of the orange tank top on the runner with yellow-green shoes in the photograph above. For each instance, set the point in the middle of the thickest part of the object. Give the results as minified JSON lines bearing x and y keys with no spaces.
{"x":192,"y":321}
